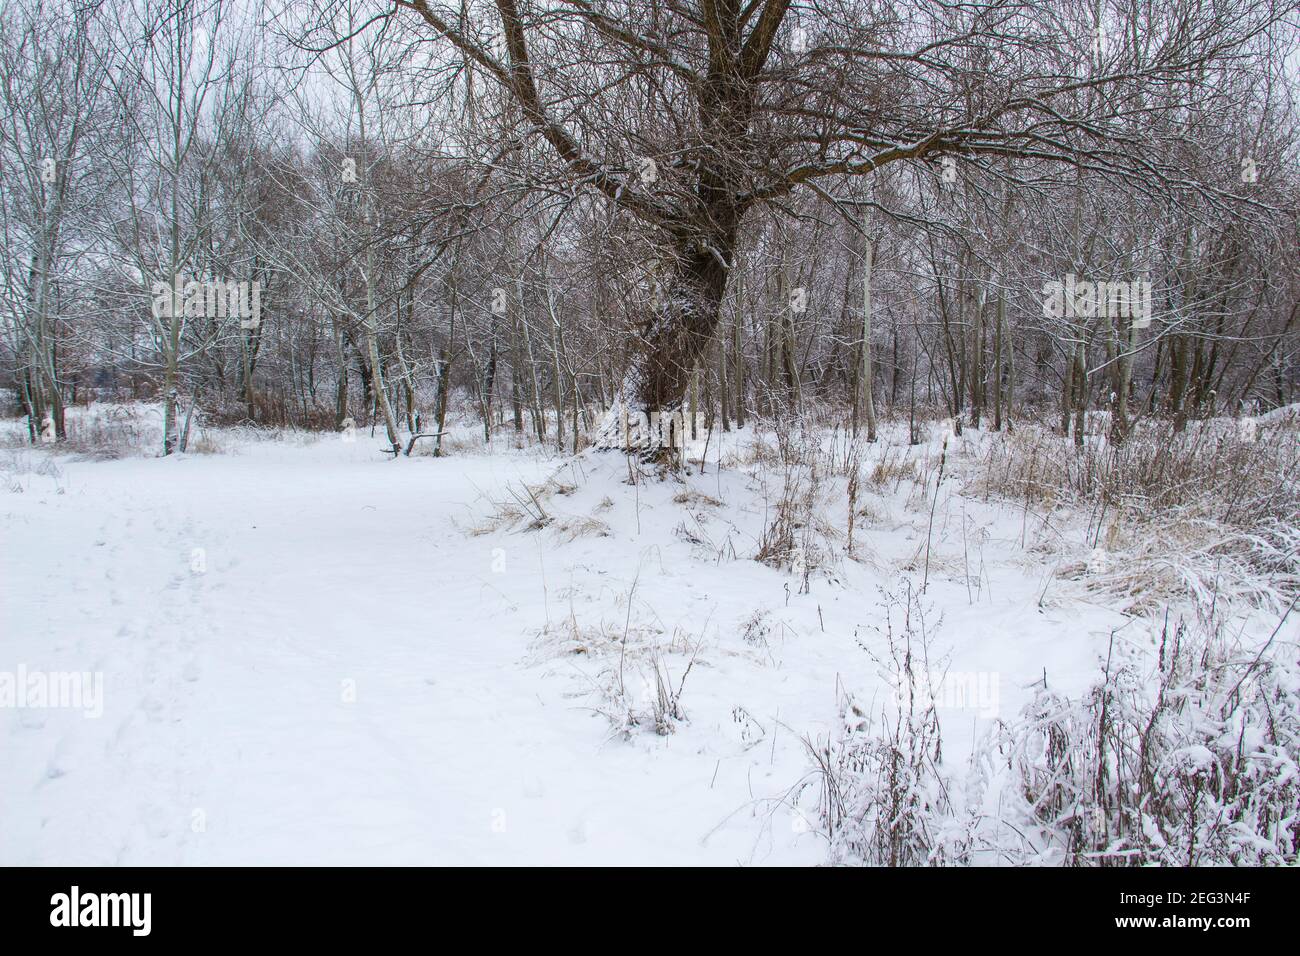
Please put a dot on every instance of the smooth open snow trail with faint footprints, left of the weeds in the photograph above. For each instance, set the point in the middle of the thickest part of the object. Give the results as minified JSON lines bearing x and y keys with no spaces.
{"x":339,"y":682}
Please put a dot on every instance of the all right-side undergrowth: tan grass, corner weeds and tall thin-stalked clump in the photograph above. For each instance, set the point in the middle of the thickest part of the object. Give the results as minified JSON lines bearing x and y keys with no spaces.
{"x":1185,"y":756}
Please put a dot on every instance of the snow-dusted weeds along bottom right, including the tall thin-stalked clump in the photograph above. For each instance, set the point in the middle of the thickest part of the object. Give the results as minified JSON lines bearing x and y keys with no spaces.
{"x":1191,"y":759}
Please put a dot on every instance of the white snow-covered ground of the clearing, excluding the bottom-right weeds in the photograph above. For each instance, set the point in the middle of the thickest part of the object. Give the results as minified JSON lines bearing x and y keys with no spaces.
{"x":314,"y":655}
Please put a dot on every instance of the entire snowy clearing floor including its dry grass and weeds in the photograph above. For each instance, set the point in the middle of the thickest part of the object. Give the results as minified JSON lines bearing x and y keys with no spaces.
{"x":804,"y":648}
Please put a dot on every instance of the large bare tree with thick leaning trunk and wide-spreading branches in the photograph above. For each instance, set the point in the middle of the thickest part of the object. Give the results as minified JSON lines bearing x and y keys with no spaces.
{"x":733,"y":106}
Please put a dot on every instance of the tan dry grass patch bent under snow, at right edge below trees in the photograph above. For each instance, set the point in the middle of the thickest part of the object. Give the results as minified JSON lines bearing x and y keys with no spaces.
{"x":1206,"y":514}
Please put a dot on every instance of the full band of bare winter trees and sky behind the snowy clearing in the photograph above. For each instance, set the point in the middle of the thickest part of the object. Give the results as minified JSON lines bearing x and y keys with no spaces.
{"x":558,"y":215}
